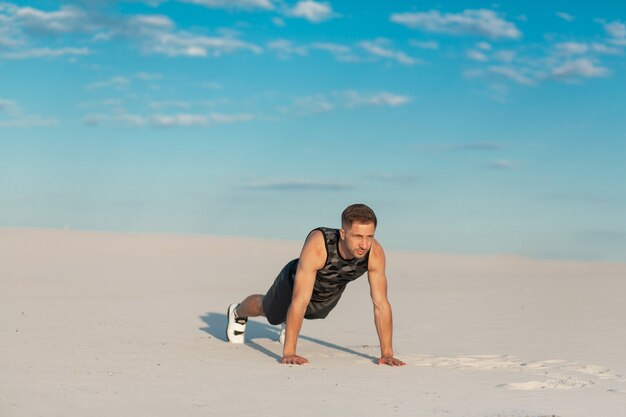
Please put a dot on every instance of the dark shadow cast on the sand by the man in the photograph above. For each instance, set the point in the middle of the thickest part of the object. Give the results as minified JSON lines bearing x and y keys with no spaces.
{"x":216,"y":327}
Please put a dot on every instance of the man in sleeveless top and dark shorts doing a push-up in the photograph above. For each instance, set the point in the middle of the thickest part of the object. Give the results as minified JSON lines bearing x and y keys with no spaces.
{"x":310,"y":287}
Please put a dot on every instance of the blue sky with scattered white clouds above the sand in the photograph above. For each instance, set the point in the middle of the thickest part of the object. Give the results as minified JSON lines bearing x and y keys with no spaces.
{"x":469,"y":127}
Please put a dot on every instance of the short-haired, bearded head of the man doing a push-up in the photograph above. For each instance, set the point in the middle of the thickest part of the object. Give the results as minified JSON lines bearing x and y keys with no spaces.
{"x":358,"y":224}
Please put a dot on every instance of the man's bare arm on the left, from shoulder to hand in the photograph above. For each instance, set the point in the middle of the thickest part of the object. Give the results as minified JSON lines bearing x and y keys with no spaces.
{"x":312,"y":259}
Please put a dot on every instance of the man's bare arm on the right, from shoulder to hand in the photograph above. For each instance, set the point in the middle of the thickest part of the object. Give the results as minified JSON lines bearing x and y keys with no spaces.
{"x":382,"y":309}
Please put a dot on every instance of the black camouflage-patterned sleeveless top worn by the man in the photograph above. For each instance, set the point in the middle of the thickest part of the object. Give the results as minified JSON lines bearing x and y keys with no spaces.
{"x":331,"y":280}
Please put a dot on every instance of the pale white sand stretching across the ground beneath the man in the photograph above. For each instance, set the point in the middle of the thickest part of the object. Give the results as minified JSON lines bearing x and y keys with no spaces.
{"x":102,"y":324}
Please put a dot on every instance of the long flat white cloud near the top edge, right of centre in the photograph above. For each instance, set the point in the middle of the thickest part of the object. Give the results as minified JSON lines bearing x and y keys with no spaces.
{"x":481,"y":22}
